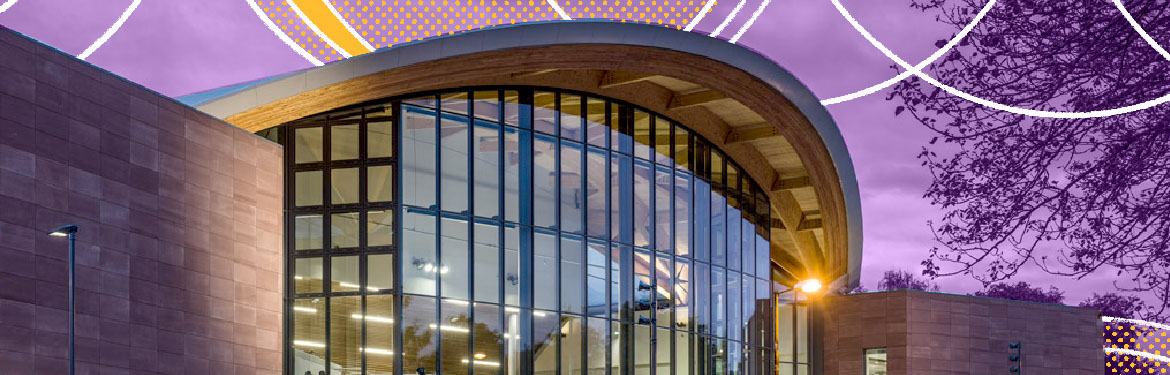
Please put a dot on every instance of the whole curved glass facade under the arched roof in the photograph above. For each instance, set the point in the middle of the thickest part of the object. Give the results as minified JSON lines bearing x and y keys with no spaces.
{"x":526,"y":232}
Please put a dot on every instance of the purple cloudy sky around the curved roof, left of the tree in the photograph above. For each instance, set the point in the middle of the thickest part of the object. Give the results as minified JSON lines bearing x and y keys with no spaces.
{"x":183,"y":47}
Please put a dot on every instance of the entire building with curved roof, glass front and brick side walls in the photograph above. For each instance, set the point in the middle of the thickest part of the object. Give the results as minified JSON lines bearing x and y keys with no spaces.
{"x":546,"y":199}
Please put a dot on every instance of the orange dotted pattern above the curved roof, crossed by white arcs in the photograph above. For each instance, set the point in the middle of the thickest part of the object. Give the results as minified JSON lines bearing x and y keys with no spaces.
{"x":388,"y":23}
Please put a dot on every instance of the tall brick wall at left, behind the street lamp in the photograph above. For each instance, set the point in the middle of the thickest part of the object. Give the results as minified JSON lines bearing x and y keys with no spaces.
{"x":180,"y":249}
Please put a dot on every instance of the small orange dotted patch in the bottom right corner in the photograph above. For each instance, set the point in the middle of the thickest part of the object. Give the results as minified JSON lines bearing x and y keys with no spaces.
{"x":1135,"y":338}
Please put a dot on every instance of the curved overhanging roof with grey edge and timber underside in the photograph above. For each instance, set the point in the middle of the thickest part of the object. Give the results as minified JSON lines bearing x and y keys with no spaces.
{"x":249,"y":106}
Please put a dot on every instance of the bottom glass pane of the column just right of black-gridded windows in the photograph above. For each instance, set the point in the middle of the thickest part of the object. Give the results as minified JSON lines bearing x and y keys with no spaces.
{"x":421,"y":344}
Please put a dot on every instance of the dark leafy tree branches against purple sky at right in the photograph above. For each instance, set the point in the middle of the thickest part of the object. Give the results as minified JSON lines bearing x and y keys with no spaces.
{"x":1072,"y":197}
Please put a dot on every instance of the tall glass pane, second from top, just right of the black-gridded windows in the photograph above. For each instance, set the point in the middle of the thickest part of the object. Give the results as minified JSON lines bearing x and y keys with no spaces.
{"x":419,"y":137}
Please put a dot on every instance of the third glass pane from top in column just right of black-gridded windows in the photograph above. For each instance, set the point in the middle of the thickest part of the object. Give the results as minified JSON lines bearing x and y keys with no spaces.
{"x":419,"y":259}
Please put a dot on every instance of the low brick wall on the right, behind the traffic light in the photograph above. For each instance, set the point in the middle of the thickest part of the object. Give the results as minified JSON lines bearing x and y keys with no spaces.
{"x":939,"y":334}
